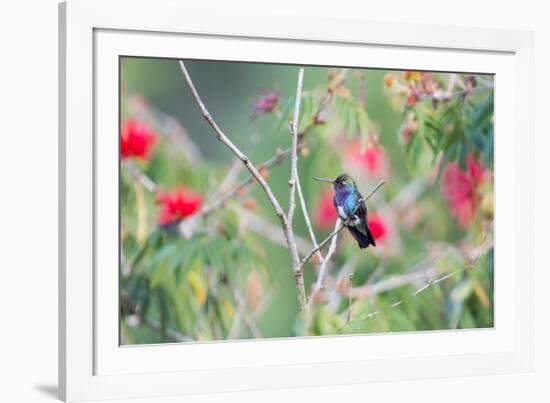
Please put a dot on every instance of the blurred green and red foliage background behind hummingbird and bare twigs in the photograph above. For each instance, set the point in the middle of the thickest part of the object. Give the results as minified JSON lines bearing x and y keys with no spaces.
{"x":202,"y":252}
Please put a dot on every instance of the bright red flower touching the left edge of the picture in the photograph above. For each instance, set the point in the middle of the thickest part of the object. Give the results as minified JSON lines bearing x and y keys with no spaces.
{"x":136,"y":140}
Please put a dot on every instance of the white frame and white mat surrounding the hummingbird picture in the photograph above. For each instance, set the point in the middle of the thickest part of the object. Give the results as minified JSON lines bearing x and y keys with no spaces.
{"x":93,"y":34}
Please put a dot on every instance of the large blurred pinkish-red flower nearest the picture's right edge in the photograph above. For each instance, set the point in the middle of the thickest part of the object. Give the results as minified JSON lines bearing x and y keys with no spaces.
{"x":460,"y":189}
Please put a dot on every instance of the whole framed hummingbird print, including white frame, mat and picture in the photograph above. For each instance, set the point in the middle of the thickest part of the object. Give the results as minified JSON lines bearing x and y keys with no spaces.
{"x":243,"y":208}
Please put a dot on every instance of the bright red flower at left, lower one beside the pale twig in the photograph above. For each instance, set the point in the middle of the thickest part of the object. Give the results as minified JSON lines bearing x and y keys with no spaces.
{"x":176,"y":205}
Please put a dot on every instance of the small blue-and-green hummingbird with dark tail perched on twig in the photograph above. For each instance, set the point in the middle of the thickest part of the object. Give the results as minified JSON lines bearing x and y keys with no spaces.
{"x":351,"y":208}
